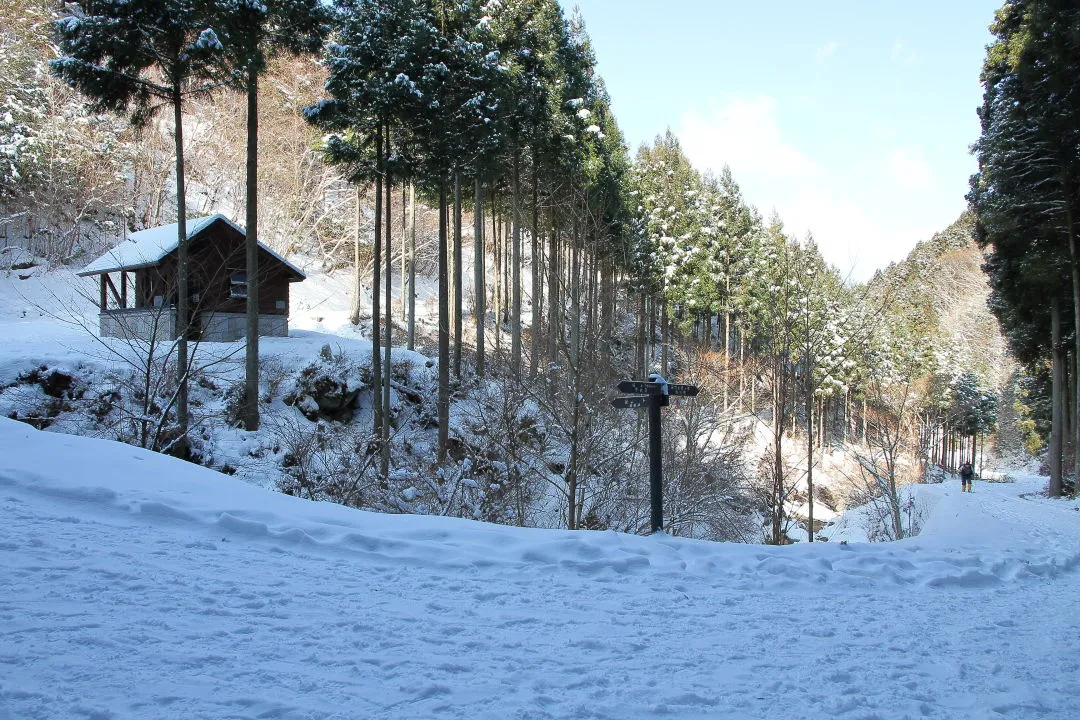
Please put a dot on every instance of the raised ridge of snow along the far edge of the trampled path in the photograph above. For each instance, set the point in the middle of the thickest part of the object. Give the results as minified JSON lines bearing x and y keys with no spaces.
{"x":956,"y":547}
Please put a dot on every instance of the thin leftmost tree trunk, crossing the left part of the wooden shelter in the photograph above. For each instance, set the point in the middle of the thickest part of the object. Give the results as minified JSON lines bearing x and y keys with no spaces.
{"x":182,"y":280}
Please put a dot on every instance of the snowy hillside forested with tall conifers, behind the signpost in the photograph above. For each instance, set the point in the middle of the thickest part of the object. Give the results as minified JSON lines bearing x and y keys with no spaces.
{"x":474,"y":148}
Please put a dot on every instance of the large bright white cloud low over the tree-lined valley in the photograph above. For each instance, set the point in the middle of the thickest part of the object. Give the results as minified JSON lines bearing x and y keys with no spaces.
{"x":857,"y":229}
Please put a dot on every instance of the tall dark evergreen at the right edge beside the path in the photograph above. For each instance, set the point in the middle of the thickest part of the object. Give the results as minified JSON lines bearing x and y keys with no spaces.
{"x":1027,"y":194}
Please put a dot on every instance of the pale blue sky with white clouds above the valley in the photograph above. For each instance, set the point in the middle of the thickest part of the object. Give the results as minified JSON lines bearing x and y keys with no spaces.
{"x":853,"y":120}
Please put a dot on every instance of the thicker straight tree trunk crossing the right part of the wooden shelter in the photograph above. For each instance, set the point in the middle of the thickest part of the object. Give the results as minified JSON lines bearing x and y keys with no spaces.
{"x":251,"y":412}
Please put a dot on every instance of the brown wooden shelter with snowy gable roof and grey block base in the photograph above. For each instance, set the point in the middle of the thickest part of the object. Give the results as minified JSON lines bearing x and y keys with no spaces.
{"x":139,"y":284}
